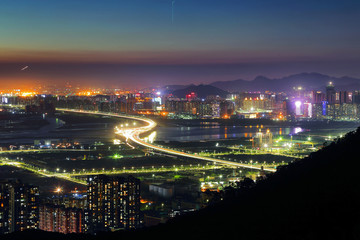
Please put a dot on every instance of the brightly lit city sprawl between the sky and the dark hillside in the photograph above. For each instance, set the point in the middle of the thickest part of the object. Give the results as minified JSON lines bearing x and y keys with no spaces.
{"x":95,"y":160}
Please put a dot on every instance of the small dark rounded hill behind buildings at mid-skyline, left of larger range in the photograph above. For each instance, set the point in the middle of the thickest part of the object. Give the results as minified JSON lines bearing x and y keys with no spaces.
{"x":202,"y":91}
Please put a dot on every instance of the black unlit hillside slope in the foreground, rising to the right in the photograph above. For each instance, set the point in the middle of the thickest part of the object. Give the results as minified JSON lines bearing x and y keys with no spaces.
{"x":314,"y":198}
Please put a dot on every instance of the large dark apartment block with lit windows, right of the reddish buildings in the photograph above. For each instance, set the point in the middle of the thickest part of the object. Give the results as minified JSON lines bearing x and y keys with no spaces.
{"x":112,"y":203}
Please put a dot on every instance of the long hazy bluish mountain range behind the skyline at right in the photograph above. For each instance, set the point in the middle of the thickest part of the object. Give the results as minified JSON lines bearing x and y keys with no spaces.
{"x":310,"y":81}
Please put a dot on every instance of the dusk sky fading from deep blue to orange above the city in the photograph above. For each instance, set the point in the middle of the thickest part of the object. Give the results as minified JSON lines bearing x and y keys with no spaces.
{"x":141,"y":43}
